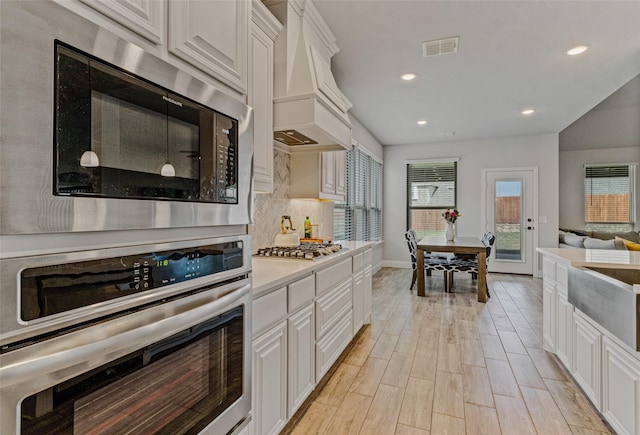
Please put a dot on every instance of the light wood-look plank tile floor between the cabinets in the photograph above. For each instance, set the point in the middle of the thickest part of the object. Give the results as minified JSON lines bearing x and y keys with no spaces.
{"x":446,"y":364}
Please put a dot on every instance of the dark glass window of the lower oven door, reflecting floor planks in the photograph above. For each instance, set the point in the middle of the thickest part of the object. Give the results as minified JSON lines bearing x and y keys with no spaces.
{"x":175,"y":386}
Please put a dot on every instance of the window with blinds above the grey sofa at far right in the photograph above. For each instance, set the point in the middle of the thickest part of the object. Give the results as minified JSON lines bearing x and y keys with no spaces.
{"x":609,"y":197}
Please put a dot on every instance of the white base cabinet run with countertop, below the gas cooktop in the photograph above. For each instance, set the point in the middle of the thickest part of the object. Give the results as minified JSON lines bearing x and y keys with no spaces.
{"x":305,"y":314}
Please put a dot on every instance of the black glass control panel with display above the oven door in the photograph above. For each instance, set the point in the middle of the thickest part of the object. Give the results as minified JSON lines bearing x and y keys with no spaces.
{"x":53,"y":289}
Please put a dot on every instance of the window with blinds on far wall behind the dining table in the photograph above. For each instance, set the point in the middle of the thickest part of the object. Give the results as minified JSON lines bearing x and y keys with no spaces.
{"x":431,"y":189}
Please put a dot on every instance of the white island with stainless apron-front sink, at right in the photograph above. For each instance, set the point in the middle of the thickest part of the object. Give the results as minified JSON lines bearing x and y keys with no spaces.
{"x":591,"y":322}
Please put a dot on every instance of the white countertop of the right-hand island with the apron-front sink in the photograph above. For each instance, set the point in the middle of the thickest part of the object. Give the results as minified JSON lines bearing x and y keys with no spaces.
{"x":605,"y":258}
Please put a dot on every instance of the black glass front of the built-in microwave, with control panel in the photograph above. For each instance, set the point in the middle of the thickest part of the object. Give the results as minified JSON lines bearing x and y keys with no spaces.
{"x":120,"y":136}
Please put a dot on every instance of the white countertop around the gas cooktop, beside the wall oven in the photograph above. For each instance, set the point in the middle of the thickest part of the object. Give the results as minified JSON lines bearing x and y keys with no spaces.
{"x":270,"y":273}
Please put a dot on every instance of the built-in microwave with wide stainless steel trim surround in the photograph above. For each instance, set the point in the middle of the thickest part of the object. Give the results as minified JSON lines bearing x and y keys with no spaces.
{"x":101,"y":134}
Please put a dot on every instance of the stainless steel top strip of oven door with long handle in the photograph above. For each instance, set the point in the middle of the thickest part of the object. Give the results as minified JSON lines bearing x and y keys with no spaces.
{"x":28,"y":370}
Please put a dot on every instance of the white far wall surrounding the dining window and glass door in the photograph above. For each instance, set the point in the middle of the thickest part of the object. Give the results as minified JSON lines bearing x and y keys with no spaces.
{"x":539,"y":151}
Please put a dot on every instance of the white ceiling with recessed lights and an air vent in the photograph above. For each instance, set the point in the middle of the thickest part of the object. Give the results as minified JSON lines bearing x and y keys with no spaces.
{"x":510,"y":57}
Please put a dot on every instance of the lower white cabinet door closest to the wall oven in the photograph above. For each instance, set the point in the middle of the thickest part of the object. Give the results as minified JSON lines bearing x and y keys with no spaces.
{"x":270,"y":380}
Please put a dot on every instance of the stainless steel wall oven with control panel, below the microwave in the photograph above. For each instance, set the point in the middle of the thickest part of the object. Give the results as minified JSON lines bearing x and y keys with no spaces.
{"x":152,"y":339}
